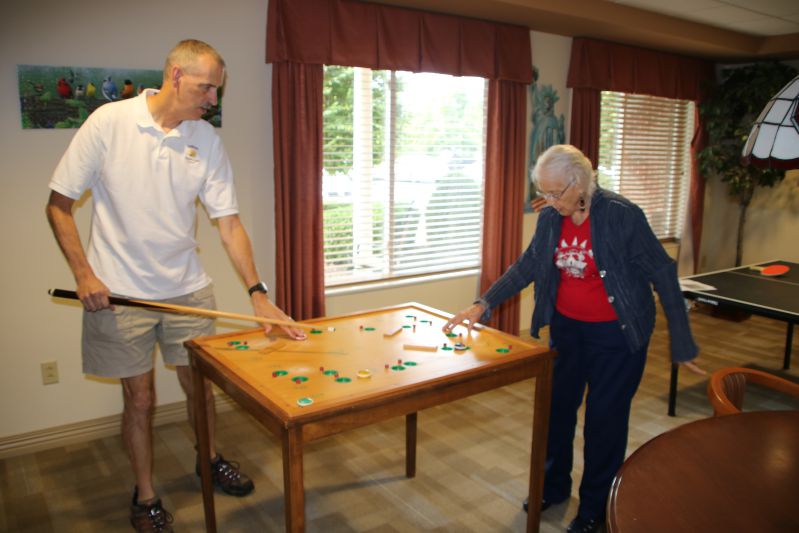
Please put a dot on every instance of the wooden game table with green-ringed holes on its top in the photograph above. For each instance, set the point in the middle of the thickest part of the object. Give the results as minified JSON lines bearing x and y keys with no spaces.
{"x":356,"y":370}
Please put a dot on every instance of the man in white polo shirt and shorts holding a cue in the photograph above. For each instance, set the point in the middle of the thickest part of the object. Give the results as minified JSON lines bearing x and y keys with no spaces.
{"x":146,"y":161}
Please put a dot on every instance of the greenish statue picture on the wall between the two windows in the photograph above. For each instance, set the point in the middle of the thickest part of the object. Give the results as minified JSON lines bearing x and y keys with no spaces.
{"x":547,"y":129}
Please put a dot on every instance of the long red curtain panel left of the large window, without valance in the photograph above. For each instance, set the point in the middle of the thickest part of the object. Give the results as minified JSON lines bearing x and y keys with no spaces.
{"x":297,"y":130}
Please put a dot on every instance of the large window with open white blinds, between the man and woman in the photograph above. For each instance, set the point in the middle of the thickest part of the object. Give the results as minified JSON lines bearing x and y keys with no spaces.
{"x":403,"y":159}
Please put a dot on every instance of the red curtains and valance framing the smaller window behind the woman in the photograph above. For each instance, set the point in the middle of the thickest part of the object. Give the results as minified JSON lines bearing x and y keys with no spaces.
{"x":601,"y":66}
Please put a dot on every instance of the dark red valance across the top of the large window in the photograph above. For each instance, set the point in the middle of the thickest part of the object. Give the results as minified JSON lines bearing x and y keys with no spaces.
{"x":362,"y":34}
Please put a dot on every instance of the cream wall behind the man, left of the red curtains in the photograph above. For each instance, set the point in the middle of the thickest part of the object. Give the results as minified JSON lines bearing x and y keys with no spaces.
{"x":125,"y":34}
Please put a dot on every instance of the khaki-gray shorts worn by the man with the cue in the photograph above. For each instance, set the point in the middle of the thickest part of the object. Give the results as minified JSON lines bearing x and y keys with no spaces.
{"x":121,"y":343}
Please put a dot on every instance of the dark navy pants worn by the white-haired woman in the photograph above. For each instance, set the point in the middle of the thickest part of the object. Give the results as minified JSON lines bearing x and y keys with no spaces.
{"x":593,"y":355}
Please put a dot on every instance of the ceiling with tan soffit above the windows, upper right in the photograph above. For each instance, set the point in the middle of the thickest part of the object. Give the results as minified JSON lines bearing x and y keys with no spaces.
{"x":722,"y":30}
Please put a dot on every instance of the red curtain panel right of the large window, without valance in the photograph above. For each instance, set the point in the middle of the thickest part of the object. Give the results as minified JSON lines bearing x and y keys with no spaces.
{"x":504,"y":192}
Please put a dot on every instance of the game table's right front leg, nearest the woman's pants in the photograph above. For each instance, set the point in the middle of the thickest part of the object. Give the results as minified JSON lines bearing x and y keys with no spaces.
{"x":538,"y":451}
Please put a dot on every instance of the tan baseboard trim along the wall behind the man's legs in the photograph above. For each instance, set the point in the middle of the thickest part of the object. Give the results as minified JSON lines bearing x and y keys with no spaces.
{"x":45,"y":439}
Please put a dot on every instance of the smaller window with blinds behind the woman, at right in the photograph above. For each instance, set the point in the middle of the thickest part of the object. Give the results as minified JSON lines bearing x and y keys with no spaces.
{"x":645,"y":155}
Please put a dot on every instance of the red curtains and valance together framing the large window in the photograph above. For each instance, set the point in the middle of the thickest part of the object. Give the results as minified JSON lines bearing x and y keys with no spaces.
{"x":351,"y":33}
